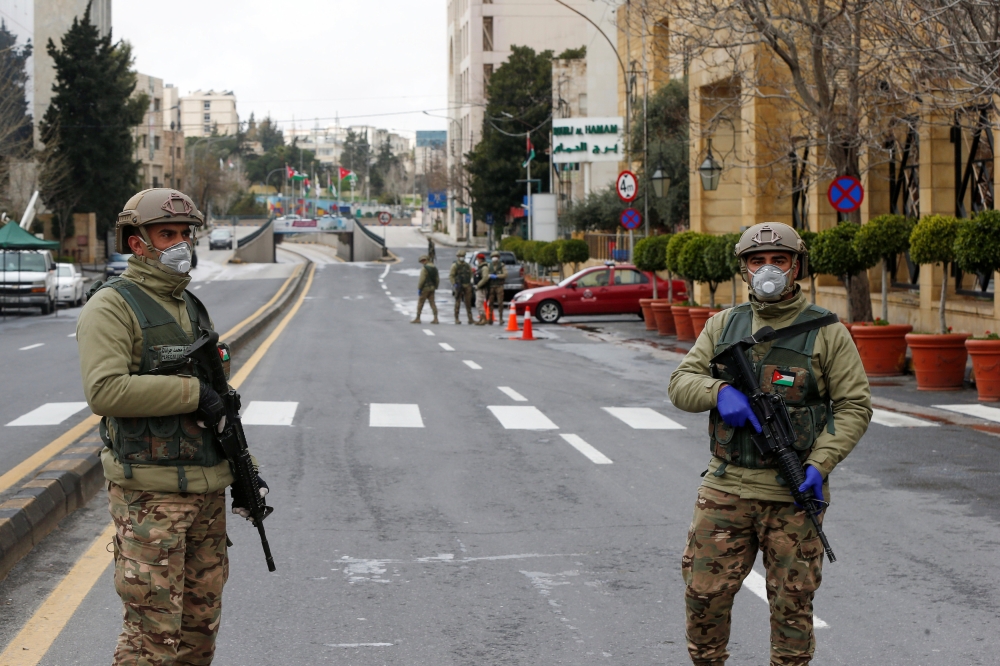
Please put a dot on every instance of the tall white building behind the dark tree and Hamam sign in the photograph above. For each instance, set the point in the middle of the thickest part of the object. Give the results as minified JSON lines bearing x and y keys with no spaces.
{"x":480,"y":36}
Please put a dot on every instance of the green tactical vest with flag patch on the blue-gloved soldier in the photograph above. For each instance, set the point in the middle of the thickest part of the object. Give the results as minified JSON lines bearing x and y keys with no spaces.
{"x":787,"y":369}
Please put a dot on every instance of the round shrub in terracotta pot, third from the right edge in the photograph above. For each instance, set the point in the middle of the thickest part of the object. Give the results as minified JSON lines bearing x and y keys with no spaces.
{"x":882,"y":346}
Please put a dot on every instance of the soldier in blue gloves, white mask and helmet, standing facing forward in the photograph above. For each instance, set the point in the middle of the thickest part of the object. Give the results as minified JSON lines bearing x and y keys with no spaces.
{"x":743,"y":505}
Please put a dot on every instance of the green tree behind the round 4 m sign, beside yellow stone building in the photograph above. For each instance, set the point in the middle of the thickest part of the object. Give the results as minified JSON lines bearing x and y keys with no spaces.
{"x":667,"y":149}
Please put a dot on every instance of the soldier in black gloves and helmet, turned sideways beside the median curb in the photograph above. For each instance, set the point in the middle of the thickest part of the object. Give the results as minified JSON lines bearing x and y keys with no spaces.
{"x":166,"y":475}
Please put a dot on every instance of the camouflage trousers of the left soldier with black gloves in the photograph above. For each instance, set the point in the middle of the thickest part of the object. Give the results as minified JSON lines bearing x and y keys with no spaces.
{"x":170,"y":566}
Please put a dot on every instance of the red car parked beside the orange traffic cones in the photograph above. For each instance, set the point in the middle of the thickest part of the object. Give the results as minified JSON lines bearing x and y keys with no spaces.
{"x":599,"y":290}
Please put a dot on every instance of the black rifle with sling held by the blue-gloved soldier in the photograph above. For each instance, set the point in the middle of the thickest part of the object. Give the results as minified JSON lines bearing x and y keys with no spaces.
{"x":777,"y":434}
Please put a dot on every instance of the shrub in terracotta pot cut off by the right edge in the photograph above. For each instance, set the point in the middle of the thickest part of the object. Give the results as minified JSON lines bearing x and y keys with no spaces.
{"x":977,"y":250}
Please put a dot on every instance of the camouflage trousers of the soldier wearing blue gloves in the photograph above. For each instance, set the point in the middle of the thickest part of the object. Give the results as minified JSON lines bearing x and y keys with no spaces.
{"x":723,"y":541}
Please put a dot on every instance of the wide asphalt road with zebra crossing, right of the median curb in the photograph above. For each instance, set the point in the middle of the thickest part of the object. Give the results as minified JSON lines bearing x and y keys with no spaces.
{"x":463,"y":541}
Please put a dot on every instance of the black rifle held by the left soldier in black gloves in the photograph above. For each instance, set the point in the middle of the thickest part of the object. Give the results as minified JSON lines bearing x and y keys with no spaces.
{"x":205,"y":352}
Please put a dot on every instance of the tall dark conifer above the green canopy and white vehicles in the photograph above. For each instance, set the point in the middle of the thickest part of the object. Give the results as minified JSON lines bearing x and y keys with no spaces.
{"x":89,"y":122}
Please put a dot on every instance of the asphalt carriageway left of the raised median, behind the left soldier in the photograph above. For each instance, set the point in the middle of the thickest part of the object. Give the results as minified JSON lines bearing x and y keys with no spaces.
{"x":40,"y":364}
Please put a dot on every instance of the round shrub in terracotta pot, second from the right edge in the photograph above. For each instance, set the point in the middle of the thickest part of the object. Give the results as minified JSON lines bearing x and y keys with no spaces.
{"x":938,"y":359}
